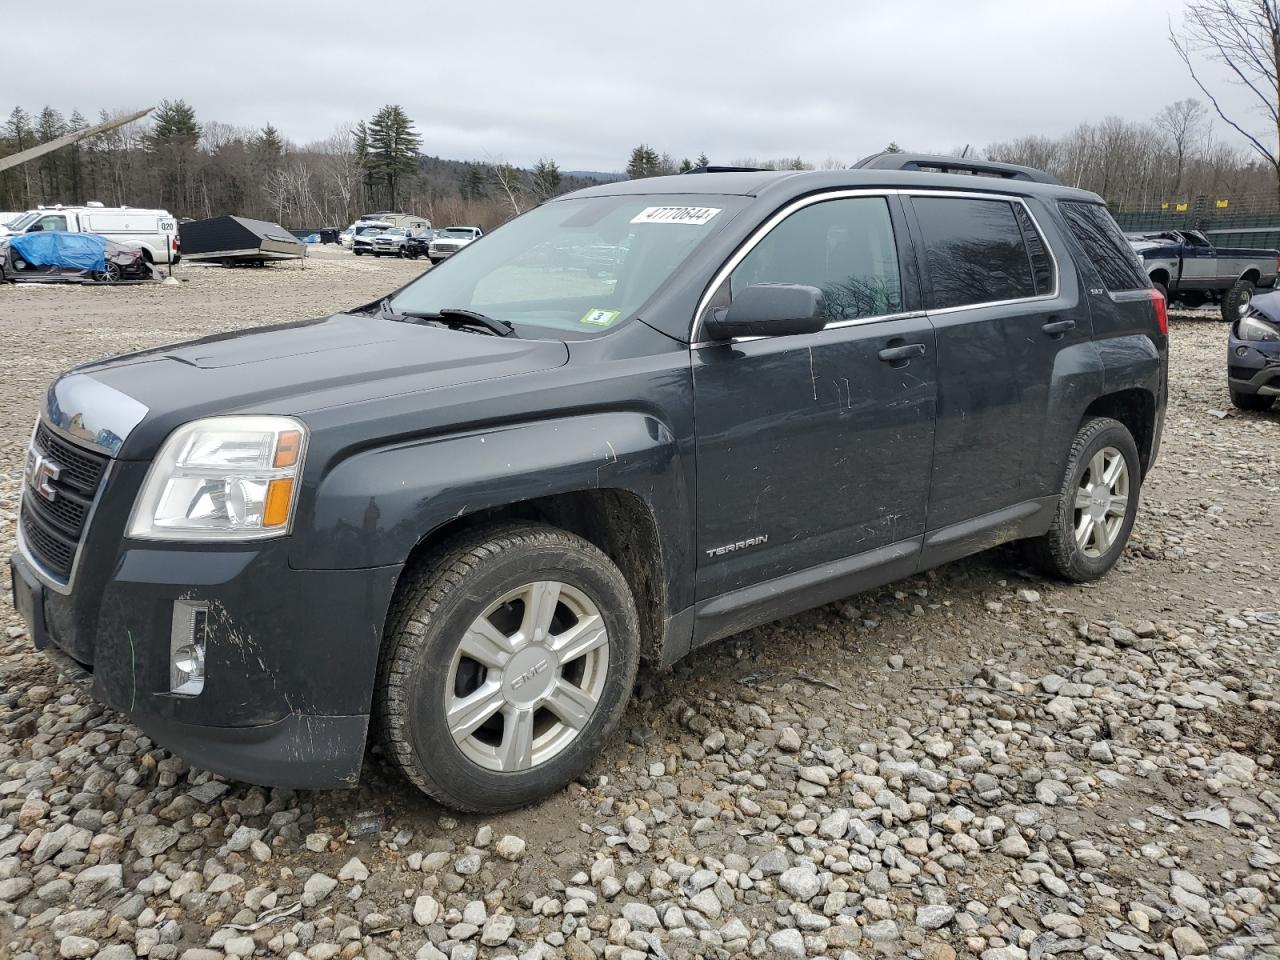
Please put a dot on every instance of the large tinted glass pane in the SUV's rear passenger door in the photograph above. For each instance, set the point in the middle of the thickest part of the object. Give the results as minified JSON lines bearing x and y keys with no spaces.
{"x":975,"y":250}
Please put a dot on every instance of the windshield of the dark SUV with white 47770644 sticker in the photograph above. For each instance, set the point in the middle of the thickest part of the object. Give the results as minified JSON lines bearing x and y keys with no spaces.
{"x":578,"y":267}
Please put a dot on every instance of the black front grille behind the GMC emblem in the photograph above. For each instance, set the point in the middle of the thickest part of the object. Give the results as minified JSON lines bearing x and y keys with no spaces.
{"x":53,"y":529}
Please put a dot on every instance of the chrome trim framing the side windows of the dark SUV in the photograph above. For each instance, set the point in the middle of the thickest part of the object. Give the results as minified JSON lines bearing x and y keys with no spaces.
{"x":799,"y":204}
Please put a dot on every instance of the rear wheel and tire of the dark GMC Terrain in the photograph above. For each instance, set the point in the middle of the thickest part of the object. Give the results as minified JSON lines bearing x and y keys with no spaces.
{"x":1062,"y":552}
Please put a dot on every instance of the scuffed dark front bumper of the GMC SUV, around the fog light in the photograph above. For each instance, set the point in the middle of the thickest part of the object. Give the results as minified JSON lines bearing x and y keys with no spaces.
{"x":291,"y":655}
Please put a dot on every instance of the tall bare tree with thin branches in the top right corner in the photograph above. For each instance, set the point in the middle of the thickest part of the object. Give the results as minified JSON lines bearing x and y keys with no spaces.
{"x":1242,"y":36}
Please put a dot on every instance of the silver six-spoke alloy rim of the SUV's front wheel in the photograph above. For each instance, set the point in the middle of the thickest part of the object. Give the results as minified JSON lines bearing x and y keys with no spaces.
{"x":527,"y":676}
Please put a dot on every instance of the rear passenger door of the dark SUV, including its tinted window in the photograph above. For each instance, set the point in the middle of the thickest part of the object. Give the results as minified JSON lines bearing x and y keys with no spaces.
{"x":994,"y":298}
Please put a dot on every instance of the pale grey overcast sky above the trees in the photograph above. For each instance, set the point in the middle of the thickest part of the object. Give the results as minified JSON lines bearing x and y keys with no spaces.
{"x":583,"y":83}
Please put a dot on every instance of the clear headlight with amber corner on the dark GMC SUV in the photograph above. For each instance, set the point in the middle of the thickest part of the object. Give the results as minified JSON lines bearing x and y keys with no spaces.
{"x":223,"y":479}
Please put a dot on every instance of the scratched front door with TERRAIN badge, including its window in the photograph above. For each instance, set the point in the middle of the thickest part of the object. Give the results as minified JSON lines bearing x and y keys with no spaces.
{"x":813,"y":449}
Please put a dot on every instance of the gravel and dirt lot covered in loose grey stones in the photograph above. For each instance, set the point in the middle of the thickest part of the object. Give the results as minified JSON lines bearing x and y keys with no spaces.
{"x":975,"y":762}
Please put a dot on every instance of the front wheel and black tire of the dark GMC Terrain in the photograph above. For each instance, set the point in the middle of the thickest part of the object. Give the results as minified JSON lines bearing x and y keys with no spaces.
{"x":482,"y":580}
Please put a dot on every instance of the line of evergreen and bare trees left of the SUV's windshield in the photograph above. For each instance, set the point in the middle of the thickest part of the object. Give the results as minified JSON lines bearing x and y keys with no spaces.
{"x":204,"y":168}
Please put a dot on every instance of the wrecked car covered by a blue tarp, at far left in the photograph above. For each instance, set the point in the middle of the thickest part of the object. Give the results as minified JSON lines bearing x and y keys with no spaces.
{"x":44,"y":258}
